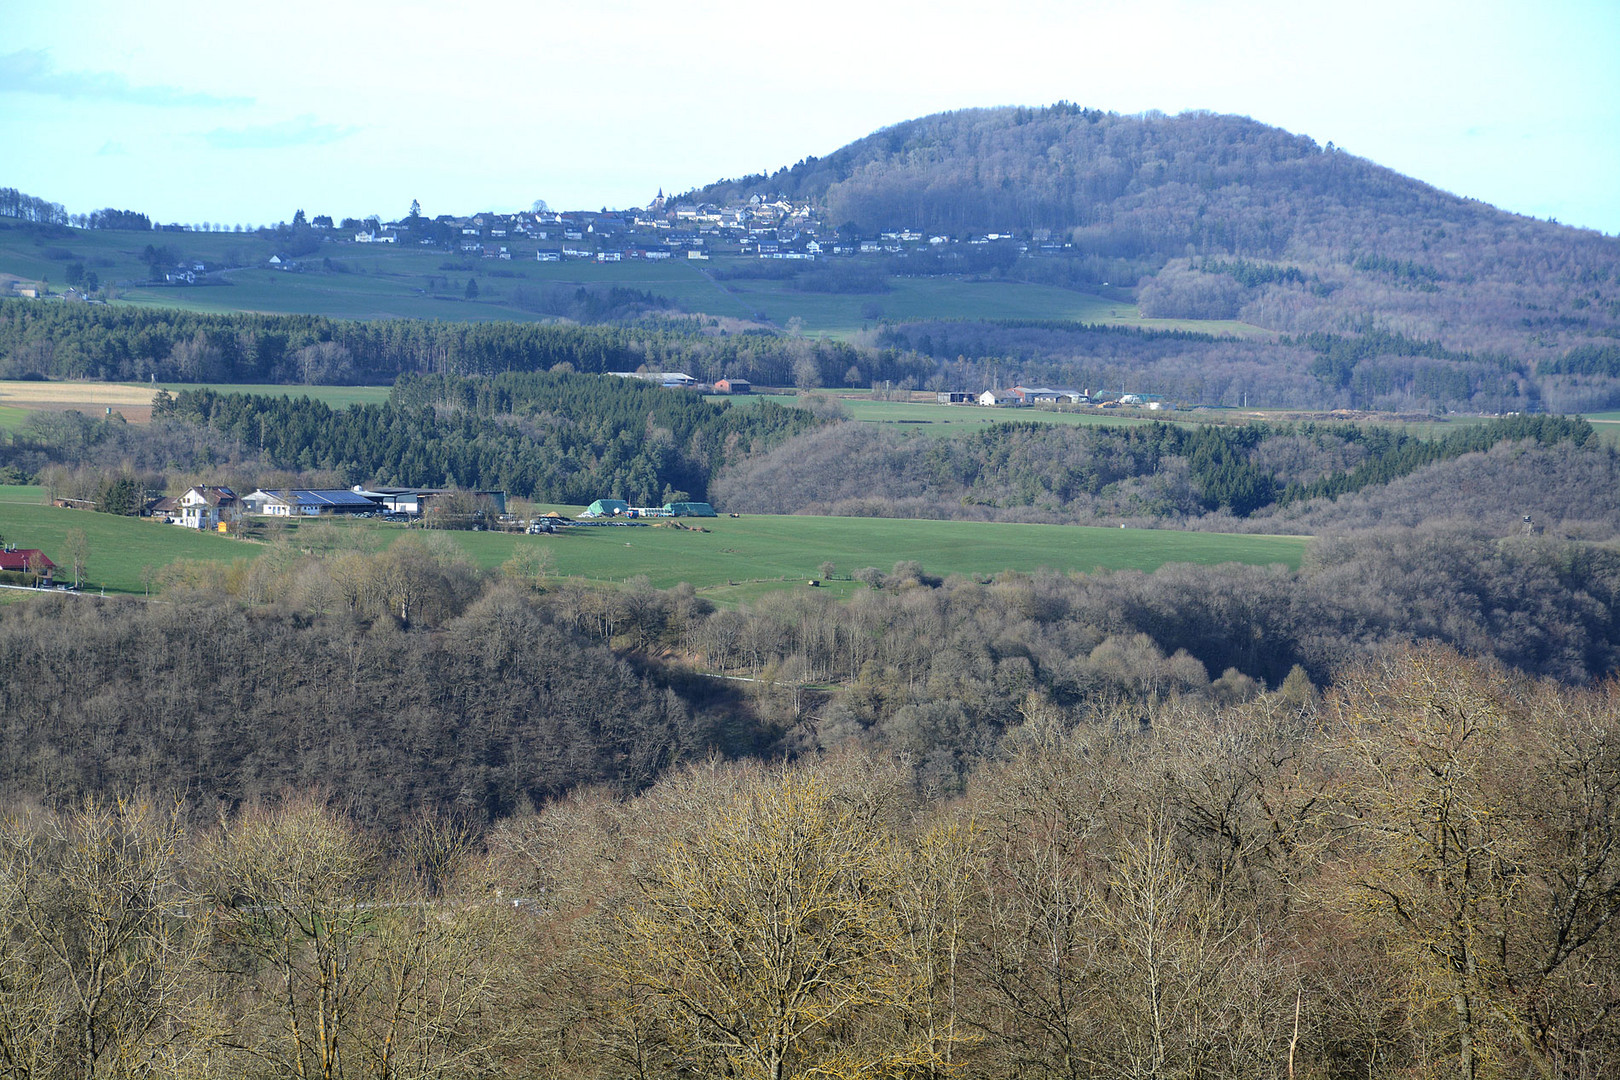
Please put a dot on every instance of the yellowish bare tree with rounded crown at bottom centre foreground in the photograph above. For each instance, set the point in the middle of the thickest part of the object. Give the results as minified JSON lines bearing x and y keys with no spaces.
{"x":770,"y":938}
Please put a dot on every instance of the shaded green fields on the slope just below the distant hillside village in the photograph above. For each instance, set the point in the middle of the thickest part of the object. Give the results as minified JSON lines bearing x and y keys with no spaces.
{"x":382,"y":283}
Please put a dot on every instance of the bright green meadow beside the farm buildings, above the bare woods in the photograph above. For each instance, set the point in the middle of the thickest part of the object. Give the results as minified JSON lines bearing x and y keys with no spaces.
{"x":736,"y":558}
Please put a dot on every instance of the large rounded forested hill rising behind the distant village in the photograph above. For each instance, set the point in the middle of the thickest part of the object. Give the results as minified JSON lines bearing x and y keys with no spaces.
{"x":1226,"y":218}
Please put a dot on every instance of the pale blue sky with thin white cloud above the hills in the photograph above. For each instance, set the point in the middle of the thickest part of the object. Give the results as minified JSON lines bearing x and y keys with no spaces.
{"x":231,"y":114}
